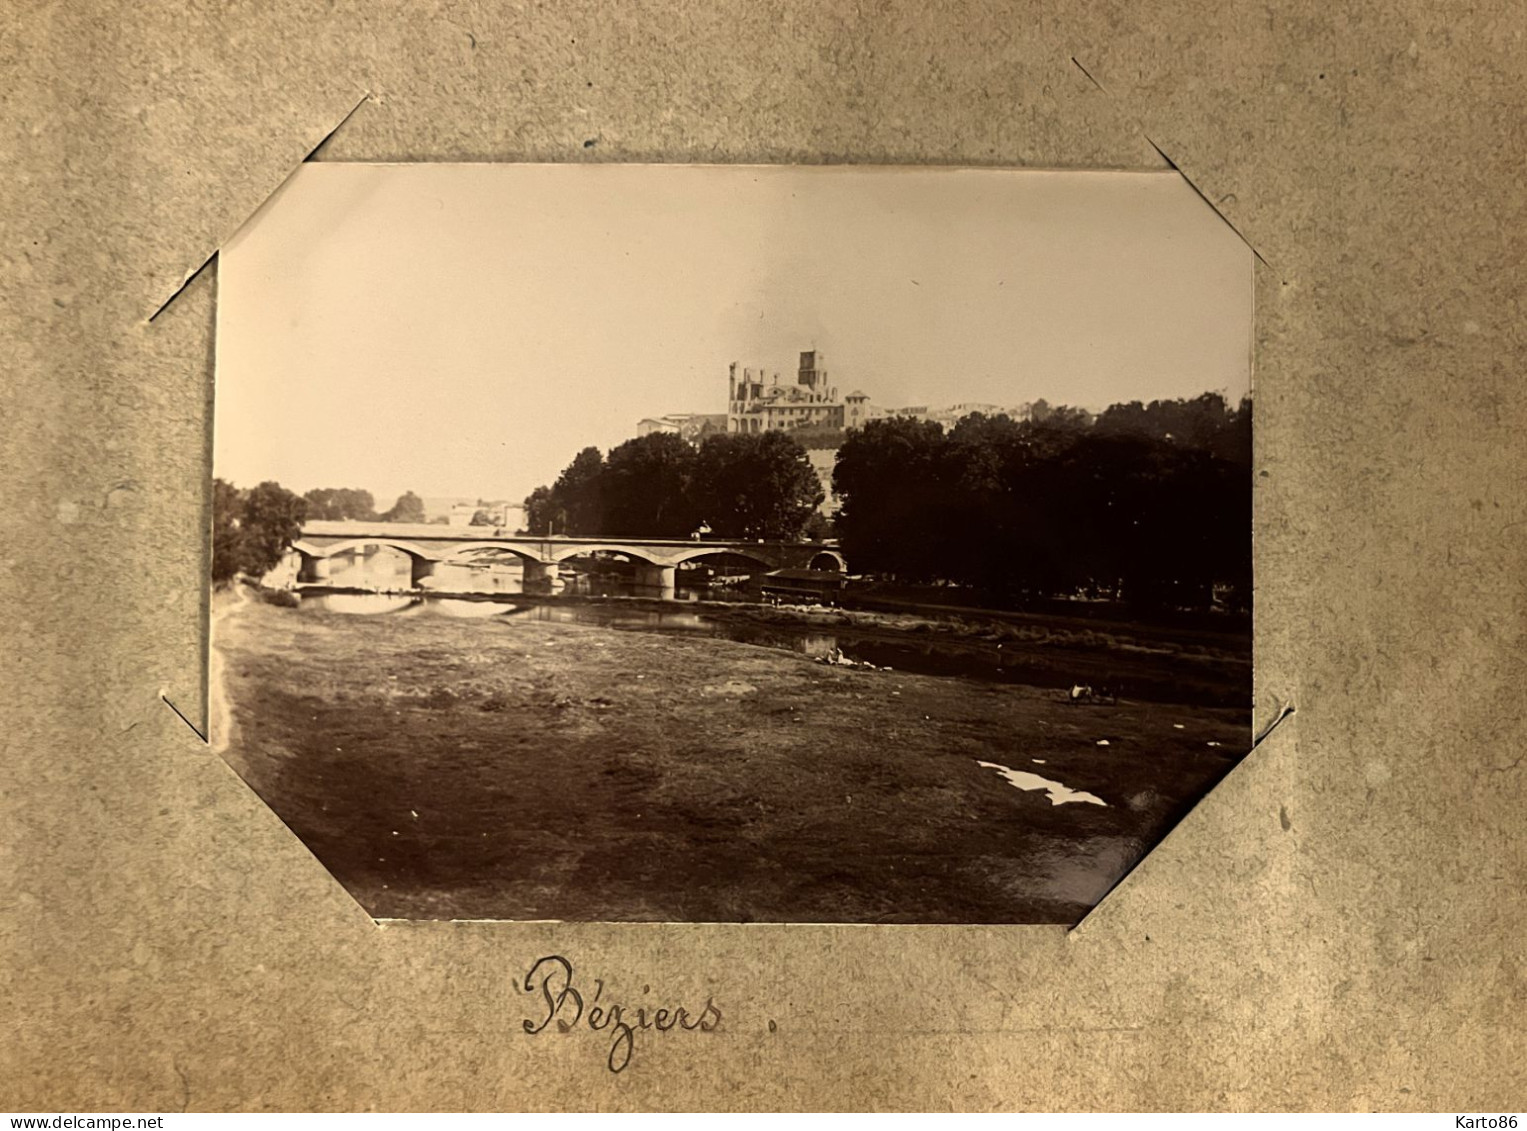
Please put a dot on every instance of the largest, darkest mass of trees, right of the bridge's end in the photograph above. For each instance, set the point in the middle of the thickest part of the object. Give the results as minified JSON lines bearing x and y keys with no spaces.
{"x":1151,"y":503}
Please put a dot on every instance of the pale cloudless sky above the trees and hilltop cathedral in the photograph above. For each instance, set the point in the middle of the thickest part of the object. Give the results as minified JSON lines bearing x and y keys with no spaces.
{"x":468,"y":329}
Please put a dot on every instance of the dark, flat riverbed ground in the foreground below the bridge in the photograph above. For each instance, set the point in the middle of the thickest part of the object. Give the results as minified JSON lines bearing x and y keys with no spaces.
{"x":517,"y":770}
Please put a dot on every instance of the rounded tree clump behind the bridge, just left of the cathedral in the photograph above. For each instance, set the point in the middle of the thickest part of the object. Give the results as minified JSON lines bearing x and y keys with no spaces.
{"x":755,"y":486}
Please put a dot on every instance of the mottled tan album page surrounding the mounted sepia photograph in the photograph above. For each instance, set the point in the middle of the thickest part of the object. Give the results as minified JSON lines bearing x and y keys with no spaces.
{"x":1338,"y":926}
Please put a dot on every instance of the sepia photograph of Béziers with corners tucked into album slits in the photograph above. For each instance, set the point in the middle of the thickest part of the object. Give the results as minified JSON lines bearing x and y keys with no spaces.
{"x":732,"y":544}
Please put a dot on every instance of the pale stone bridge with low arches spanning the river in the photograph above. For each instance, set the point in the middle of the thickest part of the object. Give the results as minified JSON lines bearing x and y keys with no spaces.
{"x":431,"y":546}
